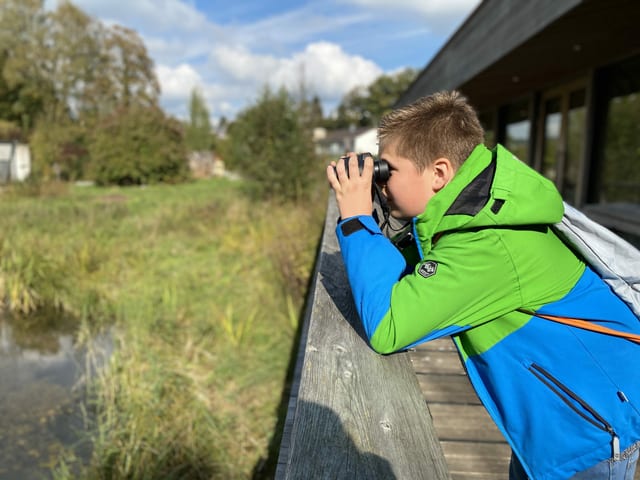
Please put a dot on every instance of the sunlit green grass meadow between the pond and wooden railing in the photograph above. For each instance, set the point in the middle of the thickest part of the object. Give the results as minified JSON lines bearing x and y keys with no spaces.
{"x":204,"y":288}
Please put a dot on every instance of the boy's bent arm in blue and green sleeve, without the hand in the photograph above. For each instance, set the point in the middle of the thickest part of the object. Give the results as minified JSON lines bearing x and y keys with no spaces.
{"x":464,"y":282}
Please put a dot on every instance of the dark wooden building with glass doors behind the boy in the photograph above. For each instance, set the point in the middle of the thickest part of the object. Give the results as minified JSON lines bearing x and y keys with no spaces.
{"x":558,"y":83}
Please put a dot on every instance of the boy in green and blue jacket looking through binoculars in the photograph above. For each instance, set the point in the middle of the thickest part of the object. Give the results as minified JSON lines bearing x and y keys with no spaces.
{"x":567,"y":400}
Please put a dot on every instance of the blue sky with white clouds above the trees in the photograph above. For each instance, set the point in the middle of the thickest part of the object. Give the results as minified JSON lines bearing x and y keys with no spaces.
{"x":231,"y":49}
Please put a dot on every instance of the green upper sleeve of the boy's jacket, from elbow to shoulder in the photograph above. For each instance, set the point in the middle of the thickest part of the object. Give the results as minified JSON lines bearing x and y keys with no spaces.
{"x":466,"y":280}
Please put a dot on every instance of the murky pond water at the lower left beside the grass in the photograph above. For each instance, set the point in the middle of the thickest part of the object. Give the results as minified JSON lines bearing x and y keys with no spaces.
{"x":42,"y":395}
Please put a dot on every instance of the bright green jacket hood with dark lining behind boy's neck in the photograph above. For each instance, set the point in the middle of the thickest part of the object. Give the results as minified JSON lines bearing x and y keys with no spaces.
{"x":492,"y":188}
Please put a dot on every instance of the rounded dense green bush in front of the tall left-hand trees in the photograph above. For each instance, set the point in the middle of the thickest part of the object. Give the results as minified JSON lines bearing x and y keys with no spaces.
{"x":138,"y":145}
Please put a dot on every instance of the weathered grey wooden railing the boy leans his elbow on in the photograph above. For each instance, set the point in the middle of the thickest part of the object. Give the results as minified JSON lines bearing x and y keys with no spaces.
{"x":352,"y":414}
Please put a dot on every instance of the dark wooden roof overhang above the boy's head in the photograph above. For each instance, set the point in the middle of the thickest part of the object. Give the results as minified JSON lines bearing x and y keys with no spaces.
{"x":507,"y":49}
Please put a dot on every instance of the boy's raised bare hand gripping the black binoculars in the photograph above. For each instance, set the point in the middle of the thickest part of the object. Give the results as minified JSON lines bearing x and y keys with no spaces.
{"x":353,"y":191}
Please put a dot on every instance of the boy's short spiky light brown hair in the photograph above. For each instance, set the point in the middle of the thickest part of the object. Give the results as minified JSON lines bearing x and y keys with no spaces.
{"x":440,"y":125}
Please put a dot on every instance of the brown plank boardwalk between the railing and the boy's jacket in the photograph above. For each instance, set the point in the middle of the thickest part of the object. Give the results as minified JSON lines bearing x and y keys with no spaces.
{"x":474,"y":448}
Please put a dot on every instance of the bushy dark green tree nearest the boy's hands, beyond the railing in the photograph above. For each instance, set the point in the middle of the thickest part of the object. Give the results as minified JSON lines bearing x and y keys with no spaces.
{"x":269,"y":144}
